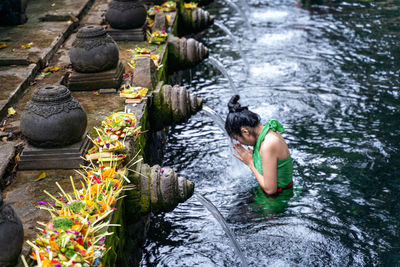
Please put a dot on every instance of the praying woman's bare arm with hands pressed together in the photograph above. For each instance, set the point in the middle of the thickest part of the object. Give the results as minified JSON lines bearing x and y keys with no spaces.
{"x":268,"y":181}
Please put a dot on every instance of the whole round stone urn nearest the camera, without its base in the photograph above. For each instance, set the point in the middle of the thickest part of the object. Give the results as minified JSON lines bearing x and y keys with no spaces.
{"x":53,"y":118}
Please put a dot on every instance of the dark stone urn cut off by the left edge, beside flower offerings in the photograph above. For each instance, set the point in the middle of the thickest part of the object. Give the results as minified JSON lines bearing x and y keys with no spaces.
{"x":11,"y":235}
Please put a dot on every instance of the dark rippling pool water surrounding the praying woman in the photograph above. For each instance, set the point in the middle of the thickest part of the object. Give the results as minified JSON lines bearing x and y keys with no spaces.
{"x":331,"y":76}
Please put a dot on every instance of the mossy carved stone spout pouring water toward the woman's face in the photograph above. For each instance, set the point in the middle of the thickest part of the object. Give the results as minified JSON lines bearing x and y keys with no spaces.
{"x":172,"y":105}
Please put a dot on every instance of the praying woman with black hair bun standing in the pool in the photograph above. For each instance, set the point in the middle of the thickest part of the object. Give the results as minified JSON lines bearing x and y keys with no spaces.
{"x":270,"y":161}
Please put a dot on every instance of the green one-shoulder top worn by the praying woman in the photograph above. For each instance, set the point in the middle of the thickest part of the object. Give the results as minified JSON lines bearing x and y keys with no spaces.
{"x":285,"y":166}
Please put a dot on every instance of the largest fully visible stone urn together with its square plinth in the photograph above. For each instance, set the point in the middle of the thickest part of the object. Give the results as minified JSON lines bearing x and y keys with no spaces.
{"x":54,"y":123}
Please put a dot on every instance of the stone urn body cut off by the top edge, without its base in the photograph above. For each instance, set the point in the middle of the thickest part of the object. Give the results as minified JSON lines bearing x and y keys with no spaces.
{"x":126,"y":14}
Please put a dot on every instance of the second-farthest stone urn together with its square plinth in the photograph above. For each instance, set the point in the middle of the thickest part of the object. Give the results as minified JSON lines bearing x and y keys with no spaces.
{"x":95,"y":61}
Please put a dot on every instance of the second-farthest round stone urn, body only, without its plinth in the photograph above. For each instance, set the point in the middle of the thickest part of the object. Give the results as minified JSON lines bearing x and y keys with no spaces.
{"x":93,"y":50}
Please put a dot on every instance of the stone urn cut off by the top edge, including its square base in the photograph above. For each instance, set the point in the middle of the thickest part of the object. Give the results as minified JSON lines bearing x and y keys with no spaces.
{"x":126,"y":19}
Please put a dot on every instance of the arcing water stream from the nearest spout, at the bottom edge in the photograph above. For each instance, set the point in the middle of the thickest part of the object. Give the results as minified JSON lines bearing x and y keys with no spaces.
{"x":220,"y":219}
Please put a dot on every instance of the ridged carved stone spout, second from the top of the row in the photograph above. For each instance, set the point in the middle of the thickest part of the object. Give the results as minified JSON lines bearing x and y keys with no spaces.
{"x":185,"y":53}
